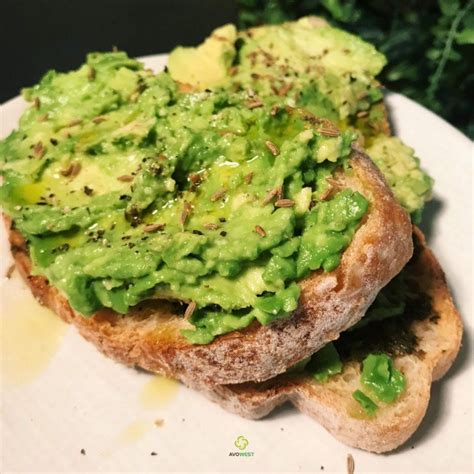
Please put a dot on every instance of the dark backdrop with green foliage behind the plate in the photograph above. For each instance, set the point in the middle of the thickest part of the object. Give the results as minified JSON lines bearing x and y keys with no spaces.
{"x":428,"y":42}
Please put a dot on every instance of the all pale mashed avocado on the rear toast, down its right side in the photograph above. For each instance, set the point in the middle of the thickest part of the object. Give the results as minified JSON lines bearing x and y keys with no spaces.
{"x":325,"y":70}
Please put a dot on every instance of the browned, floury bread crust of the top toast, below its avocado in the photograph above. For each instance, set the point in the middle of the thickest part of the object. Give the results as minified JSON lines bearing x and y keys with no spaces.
{"x":149,"y":335}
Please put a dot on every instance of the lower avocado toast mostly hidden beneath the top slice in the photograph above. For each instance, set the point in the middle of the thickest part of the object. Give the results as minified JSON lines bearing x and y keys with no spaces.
{"x":412,"y":332}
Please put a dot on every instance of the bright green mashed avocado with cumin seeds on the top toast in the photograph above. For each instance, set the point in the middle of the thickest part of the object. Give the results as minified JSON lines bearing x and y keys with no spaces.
{"x":126,"y":189}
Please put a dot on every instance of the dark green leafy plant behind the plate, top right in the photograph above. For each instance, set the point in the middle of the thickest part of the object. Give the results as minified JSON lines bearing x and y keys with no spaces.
{"x":428,"y":44}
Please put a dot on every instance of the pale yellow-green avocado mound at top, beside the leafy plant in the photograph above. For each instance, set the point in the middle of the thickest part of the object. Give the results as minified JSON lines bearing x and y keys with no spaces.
{"x":326,"y":70}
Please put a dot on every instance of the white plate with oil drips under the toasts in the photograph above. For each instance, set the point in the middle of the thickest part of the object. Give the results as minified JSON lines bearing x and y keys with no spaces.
{"x":63,"y":396}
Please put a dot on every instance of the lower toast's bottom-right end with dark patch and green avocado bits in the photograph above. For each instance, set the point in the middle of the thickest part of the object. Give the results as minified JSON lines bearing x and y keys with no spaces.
{"x":422,"y":341}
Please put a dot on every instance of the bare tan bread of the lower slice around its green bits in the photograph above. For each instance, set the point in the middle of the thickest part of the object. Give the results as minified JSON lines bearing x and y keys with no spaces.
{"x":438,"y":339}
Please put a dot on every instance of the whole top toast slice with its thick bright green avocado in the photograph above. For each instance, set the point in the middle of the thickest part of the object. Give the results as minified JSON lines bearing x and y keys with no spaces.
{"x":131,"y":193}
